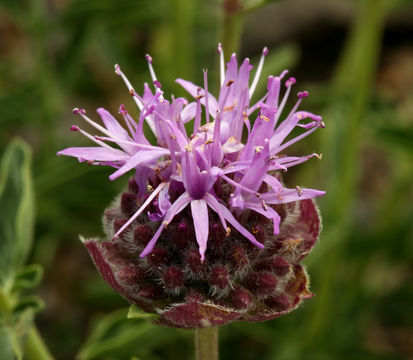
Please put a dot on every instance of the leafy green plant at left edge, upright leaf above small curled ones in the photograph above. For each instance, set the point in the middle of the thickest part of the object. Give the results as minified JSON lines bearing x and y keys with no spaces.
{"x":16,"y":229}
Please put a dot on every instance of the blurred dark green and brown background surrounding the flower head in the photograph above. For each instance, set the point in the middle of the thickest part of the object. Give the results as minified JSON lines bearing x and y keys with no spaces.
{"x":356,"y":59}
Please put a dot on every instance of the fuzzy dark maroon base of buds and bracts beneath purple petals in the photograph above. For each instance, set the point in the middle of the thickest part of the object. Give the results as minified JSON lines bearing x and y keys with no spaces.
{"x":237,"y":281}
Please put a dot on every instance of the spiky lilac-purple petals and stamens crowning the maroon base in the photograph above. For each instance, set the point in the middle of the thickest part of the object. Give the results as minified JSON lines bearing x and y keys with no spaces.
{"x":183,"y":169}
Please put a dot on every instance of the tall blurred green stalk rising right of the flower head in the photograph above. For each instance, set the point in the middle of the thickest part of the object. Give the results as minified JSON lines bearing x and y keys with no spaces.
{"x":353,"y":84}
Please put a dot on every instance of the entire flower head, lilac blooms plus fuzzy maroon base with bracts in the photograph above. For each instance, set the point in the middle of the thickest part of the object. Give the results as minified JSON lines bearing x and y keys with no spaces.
{"x":208,"y":187}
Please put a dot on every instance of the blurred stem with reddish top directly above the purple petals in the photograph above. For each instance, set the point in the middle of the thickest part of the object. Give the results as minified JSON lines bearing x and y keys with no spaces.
{"x":232,"y":26}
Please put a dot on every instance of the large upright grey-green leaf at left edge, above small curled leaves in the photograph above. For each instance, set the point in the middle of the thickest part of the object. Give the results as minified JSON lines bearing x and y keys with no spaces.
{"x":16,"y":211}
